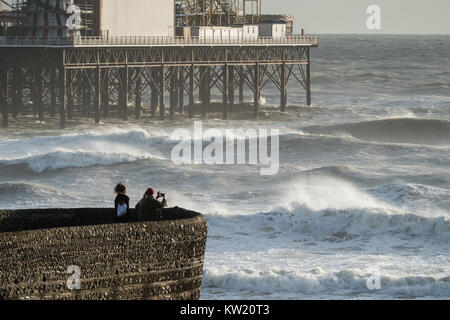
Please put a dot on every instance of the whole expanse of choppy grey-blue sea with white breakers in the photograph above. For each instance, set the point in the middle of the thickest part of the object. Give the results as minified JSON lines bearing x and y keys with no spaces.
{"x":364,"y":178}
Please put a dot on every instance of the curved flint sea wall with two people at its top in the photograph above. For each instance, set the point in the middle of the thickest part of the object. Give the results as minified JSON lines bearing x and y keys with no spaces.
{"x":136,"y":260}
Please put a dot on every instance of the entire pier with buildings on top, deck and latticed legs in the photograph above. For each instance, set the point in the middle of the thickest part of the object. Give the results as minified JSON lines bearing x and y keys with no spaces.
{"x":122,"y":59}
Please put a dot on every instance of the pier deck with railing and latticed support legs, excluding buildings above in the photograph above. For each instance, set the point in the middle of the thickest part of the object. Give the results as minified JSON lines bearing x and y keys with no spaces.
{"x":89,"y":75}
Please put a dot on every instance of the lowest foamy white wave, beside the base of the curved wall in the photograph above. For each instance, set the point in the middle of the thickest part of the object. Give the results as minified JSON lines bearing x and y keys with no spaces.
{"x":317,"y":282}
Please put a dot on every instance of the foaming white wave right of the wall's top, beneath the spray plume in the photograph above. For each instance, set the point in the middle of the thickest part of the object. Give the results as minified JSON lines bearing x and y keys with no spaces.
{"x":338,"y":224}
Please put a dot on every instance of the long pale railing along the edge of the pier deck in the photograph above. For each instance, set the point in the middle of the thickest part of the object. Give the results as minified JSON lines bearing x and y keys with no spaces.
{"x":157,"y":41}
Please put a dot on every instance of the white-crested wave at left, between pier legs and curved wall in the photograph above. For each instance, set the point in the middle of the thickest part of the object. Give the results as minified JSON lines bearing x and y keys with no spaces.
{"x":84,"y":150}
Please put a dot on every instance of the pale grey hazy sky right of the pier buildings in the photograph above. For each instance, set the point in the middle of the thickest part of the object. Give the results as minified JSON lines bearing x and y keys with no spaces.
{"x":349,"y":16}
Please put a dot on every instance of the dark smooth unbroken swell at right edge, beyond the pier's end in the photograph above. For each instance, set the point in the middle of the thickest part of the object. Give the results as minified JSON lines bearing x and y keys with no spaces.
{"x":414,"y":131}
